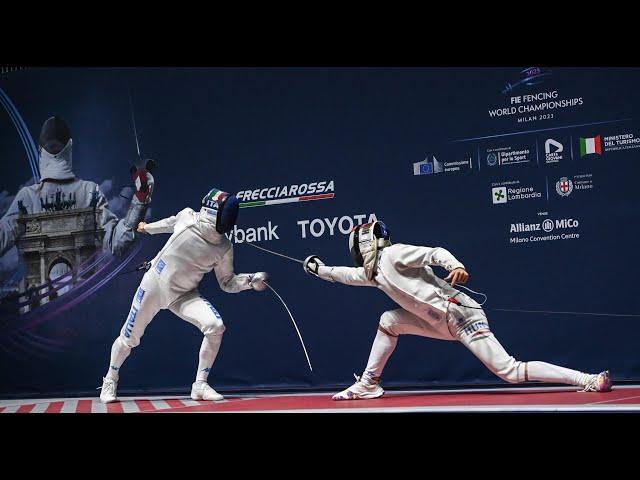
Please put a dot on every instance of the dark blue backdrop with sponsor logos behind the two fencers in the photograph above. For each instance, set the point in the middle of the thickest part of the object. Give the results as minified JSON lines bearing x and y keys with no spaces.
{"x":528,"y":176}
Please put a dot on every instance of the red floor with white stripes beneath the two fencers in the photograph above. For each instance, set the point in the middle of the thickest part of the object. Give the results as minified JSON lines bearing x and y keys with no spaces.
{"x":550,"y":399}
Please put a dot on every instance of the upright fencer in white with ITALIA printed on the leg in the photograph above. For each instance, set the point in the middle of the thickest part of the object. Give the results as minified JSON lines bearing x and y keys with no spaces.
{"x":197,"y":246}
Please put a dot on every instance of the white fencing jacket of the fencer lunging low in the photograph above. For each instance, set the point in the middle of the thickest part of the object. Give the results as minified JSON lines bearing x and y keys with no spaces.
{"x":405,"y":275}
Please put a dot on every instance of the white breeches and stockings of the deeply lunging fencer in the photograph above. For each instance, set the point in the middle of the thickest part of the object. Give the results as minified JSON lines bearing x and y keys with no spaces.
{"x":476,"y":336}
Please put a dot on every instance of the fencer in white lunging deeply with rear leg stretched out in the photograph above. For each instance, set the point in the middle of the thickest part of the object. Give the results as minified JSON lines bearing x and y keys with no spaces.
{"x":430,"y":307}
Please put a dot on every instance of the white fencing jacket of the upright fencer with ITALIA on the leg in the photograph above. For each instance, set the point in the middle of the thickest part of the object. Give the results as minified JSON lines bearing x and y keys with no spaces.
{"x":194,"y":249}
